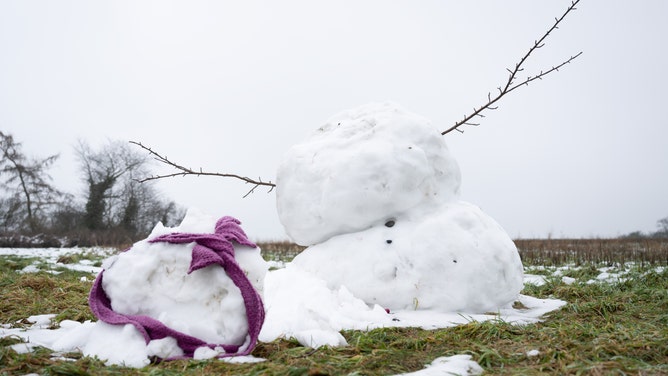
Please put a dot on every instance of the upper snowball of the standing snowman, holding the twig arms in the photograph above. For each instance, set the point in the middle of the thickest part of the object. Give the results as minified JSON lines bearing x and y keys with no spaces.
{"x":362,"y":167}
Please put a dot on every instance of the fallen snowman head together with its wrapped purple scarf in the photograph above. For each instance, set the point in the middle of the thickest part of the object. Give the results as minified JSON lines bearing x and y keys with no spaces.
{"x":194,"y":290}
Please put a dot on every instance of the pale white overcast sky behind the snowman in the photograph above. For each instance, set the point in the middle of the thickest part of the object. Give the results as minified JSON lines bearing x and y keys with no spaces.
{"x":230,"y":86}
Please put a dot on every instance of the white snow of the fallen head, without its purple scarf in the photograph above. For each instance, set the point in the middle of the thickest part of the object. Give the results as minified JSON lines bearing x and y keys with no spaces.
{"x":151,"y":279}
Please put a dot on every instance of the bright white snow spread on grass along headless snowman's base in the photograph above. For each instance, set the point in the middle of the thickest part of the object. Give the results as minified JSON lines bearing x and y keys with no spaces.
{"x":300,"y":305}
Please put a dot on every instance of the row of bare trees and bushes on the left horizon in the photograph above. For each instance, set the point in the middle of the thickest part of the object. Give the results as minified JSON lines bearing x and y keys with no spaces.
{"x":114,"y":208}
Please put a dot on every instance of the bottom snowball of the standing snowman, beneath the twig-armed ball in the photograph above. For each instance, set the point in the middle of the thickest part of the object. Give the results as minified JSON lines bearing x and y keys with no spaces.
{"x":451,"y":257}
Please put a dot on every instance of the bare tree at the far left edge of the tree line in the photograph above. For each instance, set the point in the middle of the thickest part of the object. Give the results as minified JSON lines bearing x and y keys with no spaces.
{"x":27,"y":179}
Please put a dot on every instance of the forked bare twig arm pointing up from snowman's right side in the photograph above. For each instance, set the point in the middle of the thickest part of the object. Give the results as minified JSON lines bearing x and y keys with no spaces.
{"x":510,"y":84}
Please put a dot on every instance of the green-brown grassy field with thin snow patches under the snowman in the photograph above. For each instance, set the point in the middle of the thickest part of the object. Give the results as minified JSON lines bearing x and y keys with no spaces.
{"x":615,"y":322}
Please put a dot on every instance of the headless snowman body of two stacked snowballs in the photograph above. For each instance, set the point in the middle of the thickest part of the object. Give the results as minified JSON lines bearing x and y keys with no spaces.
{"x":374,"y":194}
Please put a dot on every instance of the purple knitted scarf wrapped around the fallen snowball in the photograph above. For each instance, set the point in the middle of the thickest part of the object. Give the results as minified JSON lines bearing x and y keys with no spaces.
{"x":209,"y":249}
